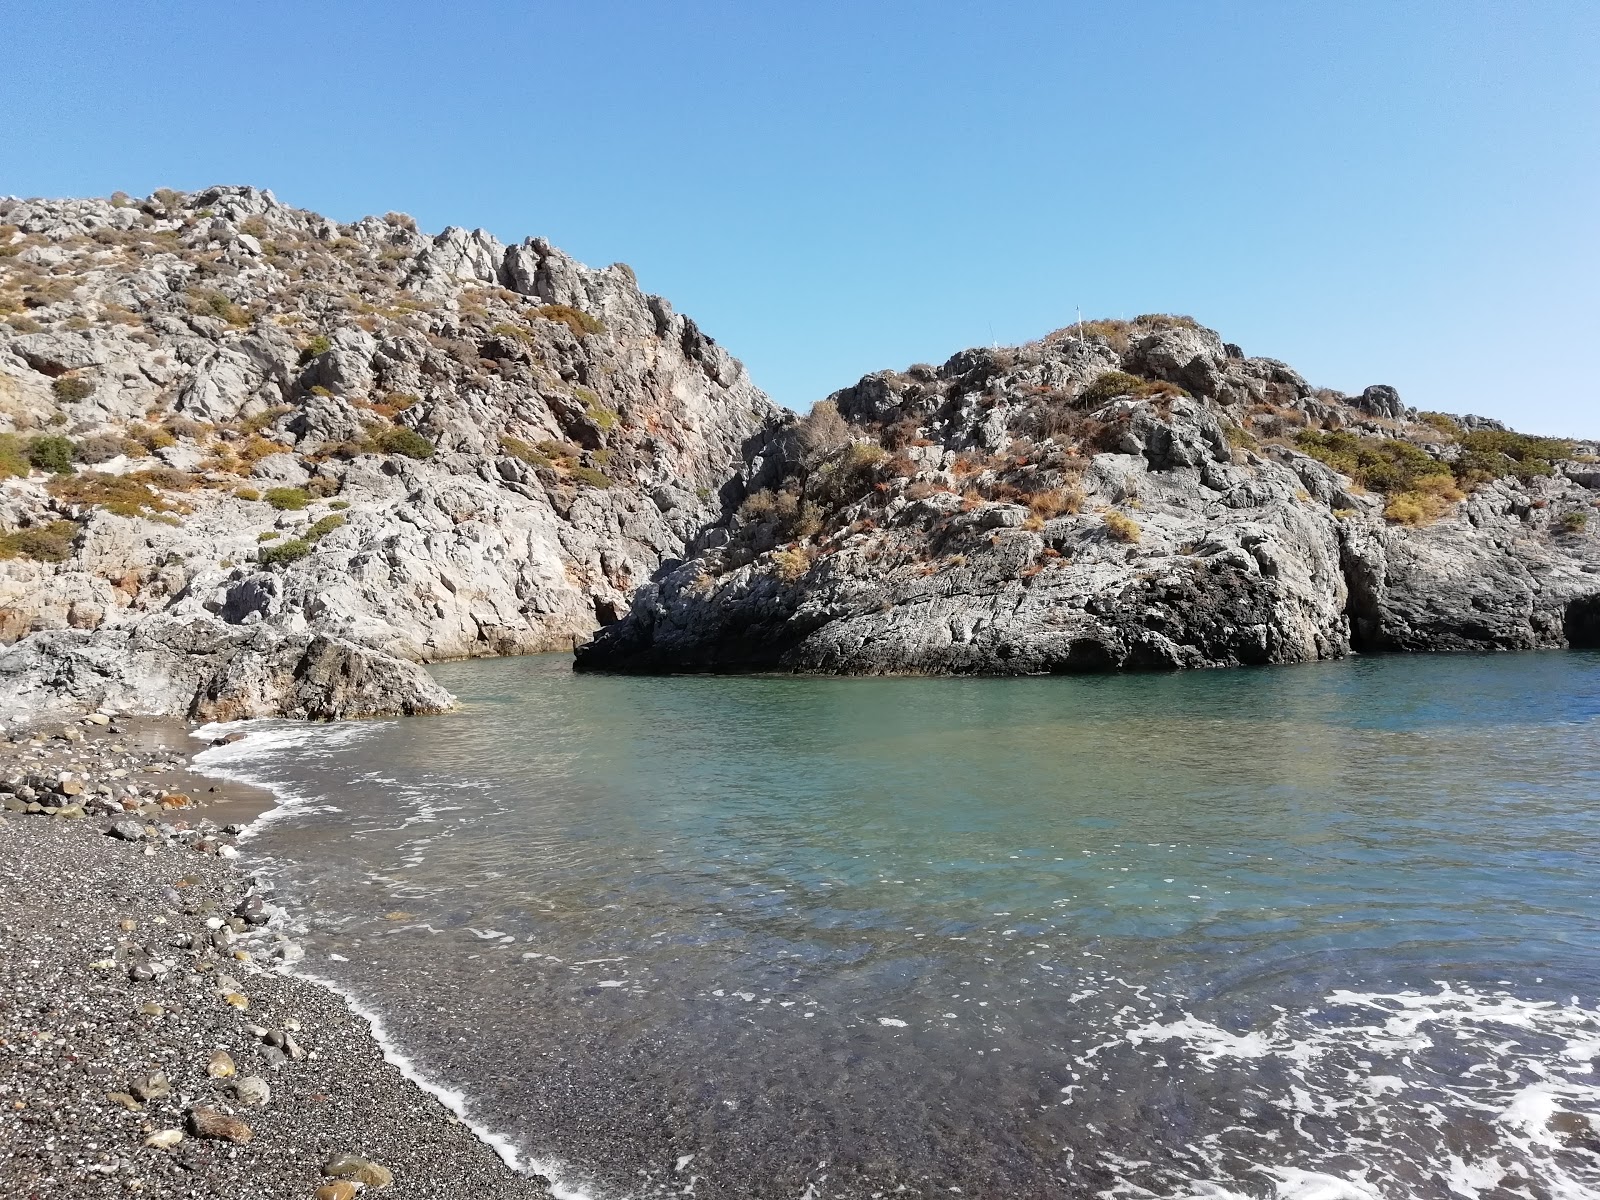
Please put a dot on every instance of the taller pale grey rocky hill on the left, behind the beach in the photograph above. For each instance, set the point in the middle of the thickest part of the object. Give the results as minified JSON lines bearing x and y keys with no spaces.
{"x":260,"y":462}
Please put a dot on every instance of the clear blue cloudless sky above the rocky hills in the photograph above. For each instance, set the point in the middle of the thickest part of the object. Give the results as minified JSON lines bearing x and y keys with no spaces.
{"x":1372,"y":191}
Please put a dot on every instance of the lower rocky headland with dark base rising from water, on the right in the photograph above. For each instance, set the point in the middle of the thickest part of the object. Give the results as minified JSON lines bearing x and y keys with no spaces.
{"x":1127,"y":495}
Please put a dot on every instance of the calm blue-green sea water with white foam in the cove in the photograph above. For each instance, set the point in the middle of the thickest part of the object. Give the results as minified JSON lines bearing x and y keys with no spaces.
{"x":1318,"y":932}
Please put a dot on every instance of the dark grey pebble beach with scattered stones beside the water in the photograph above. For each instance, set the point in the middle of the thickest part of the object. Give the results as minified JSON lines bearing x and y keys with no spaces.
{"x":151,"y":1042}
